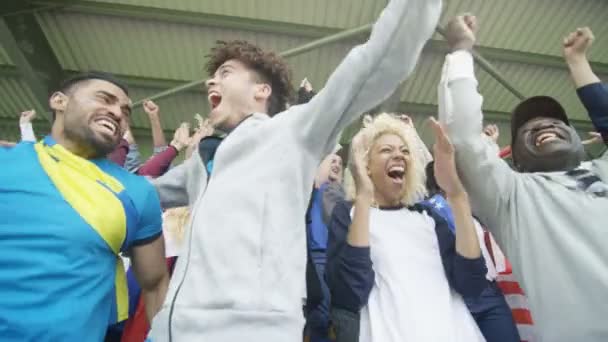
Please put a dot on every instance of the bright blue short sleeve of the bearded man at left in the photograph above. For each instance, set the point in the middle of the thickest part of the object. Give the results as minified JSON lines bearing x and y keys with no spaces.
{"x":150,"y":223}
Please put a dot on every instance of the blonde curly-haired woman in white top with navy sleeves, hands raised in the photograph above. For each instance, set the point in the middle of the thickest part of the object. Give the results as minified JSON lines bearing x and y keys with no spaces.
{"x":394,"y":261}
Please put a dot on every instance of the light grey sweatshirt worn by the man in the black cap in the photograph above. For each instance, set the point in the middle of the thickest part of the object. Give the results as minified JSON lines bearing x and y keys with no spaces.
{"x":553,"y":234}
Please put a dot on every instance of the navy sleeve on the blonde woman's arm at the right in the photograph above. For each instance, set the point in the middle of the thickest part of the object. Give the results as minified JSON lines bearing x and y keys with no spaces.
{"x":465,"y":276}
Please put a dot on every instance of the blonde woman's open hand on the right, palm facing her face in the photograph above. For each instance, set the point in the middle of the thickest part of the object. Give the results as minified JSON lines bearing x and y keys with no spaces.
{"x":445,"y":164}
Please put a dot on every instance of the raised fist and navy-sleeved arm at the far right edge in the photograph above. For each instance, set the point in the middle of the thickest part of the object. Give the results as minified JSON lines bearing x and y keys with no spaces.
{"x":592,"y":93}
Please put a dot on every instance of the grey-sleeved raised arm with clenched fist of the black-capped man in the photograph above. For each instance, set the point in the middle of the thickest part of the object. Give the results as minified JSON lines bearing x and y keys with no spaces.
{"x":487,"y":178}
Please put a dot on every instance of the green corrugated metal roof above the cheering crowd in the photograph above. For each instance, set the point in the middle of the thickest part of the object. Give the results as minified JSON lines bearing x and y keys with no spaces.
{"x":154,"y":45}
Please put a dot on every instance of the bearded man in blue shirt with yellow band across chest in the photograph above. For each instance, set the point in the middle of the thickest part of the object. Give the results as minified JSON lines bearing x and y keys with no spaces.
{"x":67,"y":213}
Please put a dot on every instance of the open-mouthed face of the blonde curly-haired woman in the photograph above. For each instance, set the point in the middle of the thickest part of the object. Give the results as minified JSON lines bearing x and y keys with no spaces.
{"x":389,"y":162}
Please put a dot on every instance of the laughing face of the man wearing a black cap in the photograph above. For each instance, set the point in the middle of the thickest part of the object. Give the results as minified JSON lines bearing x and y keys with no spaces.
{"x":547,"y":144}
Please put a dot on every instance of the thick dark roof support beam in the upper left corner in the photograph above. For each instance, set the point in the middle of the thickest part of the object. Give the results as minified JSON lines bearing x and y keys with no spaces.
{"x":26,"y":45}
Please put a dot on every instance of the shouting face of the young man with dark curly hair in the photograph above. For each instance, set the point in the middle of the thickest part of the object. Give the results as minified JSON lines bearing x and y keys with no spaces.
{"x":234,"y":92}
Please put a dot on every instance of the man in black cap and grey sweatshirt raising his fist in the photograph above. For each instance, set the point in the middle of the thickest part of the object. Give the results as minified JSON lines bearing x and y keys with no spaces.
{"x":549,"y":216}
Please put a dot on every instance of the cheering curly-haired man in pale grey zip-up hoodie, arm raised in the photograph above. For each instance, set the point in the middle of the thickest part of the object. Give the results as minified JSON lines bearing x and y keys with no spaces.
{"x":241,"y":274}
